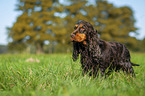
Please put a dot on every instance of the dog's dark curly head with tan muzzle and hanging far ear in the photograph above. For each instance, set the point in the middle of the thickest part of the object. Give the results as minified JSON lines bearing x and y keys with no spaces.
{"x":83,"y":33}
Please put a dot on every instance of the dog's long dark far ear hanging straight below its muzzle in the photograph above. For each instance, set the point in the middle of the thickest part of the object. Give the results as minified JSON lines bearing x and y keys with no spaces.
{"x":76,"y":51}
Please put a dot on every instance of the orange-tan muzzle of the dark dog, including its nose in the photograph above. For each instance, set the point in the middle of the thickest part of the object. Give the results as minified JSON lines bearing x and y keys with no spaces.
{"x":78,"y":37}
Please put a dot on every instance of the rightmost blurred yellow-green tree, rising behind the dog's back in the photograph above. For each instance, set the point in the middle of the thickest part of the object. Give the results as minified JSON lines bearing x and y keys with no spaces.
{"x":113,"y":23}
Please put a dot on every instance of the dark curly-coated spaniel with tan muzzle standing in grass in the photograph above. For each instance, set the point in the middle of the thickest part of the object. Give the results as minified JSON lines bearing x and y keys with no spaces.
{"x":97,"y":54}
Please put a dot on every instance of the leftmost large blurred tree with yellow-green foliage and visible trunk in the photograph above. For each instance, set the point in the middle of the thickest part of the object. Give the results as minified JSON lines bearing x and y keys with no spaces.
{"x":36,"y":24}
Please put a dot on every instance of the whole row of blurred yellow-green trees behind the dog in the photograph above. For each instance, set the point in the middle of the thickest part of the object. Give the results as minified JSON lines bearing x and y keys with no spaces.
{"x":45,"y":25}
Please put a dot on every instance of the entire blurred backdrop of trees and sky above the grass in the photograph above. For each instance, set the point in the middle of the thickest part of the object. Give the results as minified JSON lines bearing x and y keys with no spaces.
{"x":44,"y":26}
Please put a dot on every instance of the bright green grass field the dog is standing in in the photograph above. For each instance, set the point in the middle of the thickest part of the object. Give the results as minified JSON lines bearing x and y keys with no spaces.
{"x":58,"y":75}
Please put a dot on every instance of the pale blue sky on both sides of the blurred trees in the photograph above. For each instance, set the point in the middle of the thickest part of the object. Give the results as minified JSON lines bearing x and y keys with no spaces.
{"x":8,"y":15}
